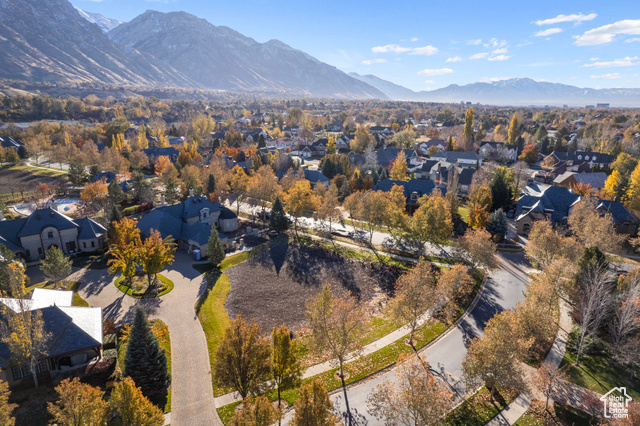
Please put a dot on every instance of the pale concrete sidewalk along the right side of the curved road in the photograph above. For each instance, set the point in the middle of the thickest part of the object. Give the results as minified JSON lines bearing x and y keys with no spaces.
{"x":521,"y":404}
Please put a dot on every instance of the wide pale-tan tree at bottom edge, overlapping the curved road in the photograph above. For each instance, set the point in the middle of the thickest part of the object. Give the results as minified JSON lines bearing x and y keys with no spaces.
{"x":415,"y":397}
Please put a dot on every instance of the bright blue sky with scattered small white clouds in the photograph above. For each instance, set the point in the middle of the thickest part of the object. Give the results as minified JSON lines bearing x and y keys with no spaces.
{"x":425,"y":45}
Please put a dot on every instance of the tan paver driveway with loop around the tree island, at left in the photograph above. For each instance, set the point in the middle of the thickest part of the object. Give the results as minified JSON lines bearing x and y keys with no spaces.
{"x":191,"y":390}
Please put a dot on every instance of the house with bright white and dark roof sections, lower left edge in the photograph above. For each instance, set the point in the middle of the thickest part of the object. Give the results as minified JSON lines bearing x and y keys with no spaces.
{"x":74,"y":335}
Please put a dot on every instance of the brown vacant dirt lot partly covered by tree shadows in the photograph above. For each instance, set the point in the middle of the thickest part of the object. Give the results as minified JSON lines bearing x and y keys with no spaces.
{"x":274,"y":286}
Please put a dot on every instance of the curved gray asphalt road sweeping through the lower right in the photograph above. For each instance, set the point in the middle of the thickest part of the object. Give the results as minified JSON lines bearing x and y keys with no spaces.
{"x":504,"y":288}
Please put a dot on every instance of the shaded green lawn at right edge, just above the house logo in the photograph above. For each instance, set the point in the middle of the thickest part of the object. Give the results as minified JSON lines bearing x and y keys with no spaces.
{"x":600,"y":374}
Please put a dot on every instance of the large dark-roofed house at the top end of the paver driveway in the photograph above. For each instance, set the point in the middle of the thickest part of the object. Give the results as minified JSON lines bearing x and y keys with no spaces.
{"x":190,"y":222}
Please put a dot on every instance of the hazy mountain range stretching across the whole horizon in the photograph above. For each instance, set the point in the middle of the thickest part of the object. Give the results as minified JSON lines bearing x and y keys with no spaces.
{"x":52,"y":41}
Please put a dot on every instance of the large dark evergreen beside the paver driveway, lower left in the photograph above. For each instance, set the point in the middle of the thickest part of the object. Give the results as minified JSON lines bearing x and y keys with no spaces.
{"x":145,"y":361}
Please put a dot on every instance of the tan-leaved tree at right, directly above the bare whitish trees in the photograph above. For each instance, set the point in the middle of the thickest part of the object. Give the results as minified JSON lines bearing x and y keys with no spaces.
{"x":592,"y":229}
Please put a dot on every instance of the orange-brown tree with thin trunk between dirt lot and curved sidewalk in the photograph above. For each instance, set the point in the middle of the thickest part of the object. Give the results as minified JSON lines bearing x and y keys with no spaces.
{"x":338,"y":326}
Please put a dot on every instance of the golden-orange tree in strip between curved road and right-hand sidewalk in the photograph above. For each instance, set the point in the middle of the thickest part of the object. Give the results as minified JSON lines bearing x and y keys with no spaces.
{"x":495,"y":358}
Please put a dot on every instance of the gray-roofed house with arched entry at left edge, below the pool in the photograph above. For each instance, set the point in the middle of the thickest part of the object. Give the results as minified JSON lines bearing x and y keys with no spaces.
{"x":32,"y":236}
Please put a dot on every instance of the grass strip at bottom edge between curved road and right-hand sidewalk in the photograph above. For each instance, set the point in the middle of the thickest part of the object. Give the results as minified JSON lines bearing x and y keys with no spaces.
{"x":478,"y":410}
